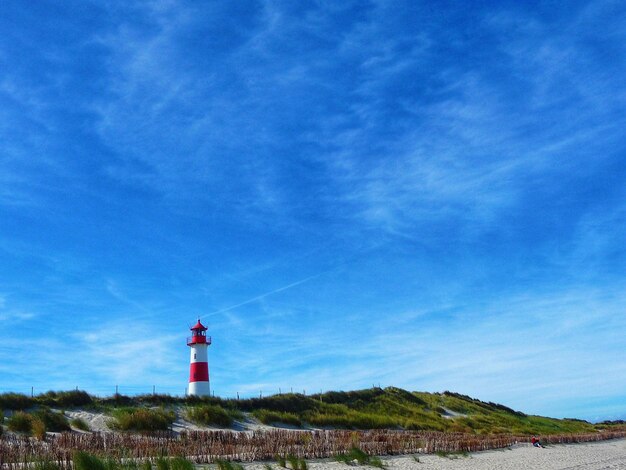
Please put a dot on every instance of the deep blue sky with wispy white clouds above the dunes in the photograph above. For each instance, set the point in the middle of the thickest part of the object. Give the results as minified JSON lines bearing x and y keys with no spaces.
{"x":426,"y":195}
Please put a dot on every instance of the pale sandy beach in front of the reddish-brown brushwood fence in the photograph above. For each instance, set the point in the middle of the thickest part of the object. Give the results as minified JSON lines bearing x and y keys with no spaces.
{"x":594,"y":456}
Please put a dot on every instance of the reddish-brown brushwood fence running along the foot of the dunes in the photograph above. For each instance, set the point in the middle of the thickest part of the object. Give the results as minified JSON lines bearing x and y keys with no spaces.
{"x":207,"y":446}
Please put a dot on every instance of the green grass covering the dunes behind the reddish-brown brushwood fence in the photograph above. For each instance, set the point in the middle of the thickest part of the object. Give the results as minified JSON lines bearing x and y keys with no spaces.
{"x":374,"y":408}
